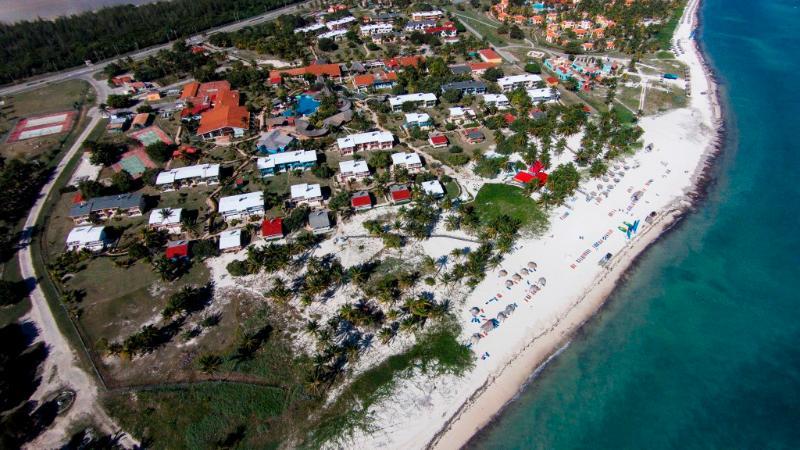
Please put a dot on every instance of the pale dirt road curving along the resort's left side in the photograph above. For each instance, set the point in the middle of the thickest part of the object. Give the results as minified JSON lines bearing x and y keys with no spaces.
{"x":61,"y":369}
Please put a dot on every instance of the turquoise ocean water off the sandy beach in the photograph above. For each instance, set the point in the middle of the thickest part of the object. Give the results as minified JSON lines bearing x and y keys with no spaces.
{"x":701,"y":347}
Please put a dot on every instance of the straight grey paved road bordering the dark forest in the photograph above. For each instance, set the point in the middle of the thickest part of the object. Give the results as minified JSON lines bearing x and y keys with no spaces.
{"x":87,"y":71}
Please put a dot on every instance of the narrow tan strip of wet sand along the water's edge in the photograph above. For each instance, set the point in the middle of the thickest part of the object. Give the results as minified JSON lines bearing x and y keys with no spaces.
{"x":486,"y":403}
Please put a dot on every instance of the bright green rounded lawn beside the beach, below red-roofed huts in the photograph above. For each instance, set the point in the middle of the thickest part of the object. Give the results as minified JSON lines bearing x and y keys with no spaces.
{"x":495,"y":200}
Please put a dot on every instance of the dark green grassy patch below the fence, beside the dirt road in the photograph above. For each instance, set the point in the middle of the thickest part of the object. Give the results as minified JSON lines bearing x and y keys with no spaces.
{"x":204,"y":416}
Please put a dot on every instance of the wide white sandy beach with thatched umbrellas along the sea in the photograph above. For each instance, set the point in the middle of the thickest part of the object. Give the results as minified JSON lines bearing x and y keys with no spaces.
{"x":445,"y":412}
